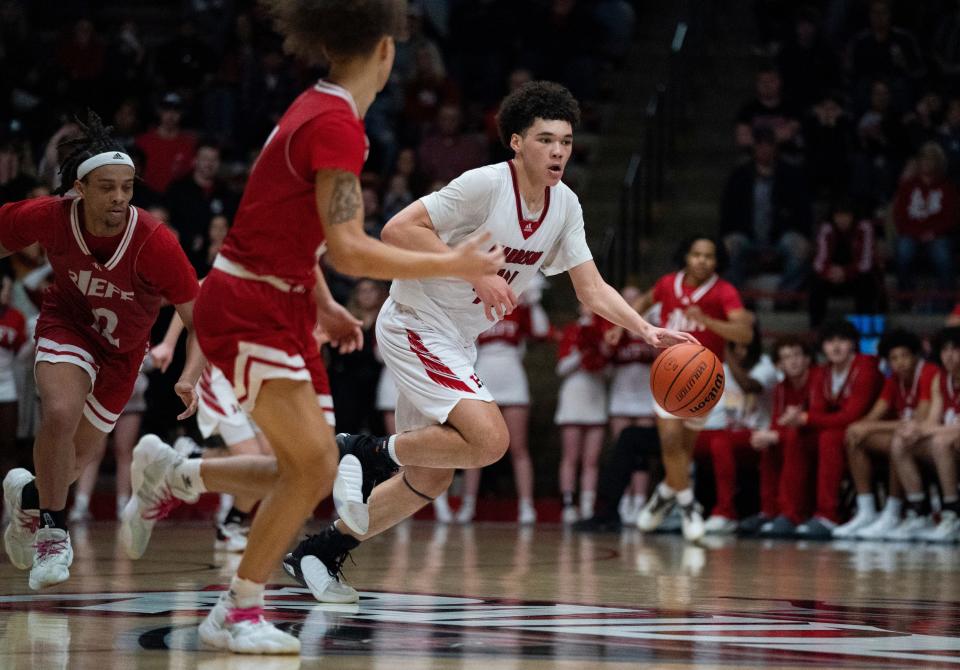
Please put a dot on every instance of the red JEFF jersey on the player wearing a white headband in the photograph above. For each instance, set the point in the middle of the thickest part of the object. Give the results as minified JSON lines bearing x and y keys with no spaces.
{"x":114,"y":296}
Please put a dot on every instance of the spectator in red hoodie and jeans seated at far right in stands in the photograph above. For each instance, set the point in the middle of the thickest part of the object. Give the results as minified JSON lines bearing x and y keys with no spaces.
{"x":926,"y":211}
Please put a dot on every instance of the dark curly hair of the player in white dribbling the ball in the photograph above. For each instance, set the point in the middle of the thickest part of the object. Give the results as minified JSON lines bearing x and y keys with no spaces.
{"x":535,"y":100}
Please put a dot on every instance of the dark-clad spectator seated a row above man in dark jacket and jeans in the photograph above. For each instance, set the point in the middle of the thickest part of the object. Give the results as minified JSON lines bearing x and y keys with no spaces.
{"x":768,"y":111}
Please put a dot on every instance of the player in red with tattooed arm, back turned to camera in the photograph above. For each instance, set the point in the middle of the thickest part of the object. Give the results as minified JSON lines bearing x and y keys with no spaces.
{"x":258,"y":307}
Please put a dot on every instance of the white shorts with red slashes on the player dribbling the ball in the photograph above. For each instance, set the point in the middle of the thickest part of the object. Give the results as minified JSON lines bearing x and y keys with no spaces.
{"x":433,"y":370}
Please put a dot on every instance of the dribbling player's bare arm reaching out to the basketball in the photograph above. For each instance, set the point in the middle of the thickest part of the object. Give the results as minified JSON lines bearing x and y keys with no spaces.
{"x":606,"y":301}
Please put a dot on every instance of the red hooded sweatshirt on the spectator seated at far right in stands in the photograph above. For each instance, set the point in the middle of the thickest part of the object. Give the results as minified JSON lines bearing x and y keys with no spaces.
{"x":925,"y":211}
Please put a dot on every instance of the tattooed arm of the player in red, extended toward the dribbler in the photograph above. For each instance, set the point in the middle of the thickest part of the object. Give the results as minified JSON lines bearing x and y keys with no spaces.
{"x":352,"y":251}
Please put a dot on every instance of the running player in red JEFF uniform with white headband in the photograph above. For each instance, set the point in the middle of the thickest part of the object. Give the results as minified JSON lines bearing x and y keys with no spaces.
{"x":113,"y":265}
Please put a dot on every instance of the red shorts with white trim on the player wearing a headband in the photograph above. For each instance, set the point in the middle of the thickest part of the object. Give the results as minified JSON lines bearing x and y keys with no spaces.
{"x":112,"y":375}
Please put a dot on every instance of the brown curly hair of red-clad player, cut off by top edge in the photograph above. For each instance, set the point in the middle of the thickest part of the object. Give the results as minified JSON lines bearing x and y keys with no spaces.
{"x":335,"y":30}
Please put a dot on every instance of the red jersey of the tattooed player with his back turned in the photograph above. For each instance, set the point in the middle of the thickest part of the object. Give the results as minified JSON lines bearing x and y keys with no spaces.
{"x":277,"y":230}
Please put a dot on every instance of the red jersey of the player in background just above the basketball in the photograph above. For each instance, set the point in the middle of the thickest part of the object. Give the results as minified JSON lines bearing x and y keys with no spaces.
{"x":716,"y":297}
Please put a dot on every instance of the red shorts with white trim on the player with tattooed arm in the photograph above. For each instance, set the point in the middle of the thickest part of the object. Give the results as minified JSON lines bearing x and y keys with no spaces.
{"x":254,"y":331}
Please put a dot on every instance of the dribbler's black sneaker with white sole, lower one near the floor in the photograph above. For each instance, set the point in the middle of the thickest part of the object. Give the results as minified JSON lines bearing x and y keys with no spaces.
{"x":317,"y":564}
